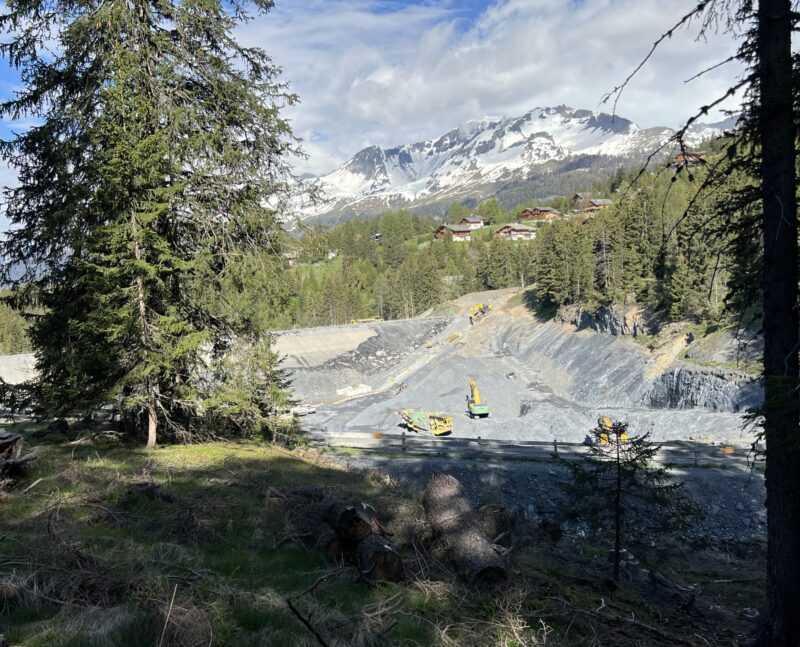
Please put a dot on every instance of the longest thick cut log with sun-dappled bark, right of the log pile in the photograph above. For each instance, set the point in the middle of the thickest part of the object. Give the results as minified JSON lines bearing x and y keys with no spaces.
{"x":453,"y":518}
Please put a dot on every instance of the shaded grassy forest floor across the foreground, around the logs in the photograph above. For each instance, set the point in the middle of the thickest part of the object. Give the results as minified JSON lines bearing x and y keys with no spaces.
{"x":120,"y":547}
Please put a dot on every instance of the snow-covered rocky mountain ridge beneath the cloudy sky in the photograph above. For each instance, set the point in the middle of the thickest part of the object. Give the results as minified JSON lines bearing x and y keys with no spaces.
{"x":545,"y":151}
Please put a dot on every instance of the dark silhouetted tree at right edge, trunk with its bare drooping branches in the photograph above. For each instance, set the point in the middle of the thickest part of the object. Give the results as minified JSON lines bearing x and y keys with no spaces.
{"x":764,"y":145}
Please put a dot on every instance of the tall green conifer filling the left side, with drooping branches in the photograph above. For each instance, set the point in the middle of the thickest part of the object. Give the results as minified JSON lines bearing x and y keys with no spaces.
{"x":144,"y":185}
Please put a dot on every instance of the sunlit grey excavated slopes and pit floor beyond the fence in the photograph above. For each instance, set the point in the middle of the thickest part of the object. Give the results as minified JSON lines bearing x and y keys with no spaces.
{"x":543,"y":380}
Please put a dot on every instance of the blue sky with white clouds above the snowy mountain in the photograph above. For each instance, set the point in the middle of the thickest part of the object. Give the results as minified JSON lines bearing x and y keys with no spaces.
{"x":390,"y":72}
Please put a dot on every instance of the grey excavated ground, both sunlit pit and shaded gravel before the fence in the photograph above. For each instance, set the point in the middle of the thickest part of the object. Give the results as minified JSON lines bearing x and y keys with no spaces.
{"x":544,"y":380}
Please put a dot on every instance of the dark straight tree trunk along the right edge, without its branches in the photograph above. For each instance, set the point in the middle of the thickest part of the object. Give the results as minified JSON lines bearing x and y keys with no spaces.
{"x":781,"y":625}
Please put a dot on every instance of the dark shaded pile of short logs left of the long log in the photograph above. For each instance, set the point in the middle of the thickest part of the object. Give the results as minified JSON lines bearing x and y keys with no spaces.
{"x":342,"y":530}
